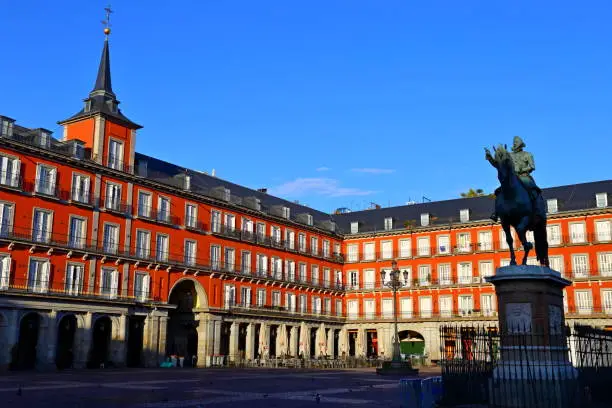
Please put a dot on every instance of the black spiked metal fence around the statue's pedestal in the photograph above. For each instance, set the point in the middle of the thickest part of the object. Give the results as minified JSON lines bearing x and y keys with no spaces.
{"x":482,"y":366}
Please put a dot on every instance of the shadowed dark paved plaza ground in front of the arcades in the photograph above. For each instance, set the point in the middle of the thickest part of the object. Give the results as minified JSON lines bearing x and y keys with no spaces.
{"x":168,"y":388}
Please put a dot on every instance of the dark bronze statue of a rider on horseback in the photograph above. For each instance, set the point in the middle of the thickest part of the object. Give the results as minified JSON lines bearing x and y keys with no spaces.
{"x":518,"y":201}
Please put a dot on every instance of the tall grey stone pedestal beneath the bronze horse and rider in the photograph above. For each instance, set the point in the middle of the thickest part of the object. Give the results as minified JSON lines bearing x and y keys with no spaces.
{"x":534,"y":367}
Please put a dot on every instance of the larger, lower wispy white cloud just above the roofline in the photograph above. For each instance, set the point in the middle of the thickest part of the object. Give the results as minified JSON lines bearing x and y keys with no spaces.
{"x":316,"y":186}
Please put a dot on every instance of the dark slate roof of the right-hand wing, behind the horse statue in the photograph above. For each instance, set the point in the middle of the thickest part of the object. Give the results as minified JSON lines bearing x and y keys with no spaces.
{"x":569,"y":198}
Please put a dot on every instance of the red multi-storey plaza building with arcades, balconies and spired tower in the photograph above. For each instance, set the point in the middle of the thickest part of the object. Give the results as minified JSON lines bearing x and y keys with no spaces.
{"x":108,"y":256}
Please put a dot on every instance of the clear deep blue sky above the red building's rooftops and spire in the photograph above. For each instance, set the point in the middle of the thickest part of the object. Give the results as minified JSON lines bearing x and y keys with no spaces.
{"x":333,"y":103}
